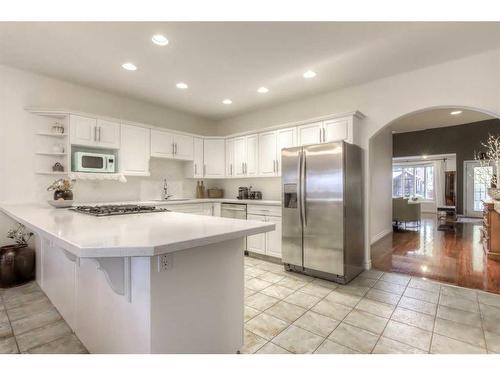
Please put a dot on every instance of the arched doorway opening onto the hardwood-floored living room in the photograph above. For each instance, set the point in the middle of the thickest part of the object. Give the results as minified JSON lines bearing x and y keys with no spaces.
{"x":417,"y":143}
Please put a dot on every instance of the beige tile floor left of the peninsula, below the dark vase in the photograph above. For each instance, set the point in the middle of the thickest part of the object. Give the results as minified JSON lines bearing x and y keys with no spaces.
{"x":30,"y":324}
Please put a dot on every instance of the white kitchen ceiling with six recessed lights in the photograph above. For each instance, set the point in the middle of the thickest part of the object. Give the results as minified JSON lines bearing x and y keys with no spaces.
{"x":232,"y":59}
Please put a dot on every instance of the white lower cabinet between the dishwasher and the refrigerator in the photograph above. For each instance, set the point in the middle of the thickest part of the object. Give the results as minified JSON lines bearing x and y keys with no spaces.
{"x":265,"y":243}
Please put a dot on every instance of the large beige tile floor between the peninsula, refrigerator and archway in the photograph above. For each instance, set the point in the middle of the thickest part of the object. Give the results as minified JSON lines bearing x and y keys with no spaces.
{"x":376,"y":313}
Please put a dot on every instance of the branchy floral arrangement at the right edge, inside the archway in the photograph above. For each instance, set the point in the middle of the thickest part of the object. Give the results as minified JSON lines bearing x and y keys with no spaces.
{"x":490,"y":157}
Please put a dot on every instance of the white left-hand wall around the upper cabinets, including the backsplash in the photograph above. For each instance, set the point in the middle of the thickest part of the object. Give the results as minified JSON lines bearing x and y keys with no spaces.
{"x":18,"y":183}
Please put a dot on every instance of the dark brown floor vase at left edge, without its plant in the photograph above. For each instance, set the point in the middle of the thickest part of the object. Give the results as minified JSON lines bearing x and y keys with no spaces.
{"x":17,"y":265}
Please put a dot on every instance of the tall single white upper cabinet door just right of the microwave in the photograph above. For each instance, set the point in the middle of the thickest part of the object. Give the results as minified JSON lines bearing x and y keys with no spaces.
{"x":134,"y":150}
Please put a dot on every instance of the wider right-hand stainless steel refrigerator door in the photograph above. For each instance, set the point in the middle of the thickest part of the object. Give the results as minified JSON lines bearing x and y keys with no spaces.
{"x":323,"y":188}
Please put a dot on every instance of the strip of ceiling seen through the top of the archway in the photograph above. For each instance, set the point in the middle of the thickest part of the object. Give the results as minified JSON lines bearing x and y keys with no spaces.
{"x":437,"y":118}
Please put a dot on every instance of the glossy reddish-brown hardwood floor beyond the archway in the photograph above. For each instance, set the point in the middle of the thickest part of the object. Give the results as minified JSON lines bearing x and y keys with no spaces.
{"x":453,"y":257}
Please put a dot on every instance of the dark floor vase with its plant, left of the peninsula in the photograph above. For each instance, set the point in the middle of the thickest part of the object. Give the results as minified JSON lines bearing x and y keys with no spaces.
{"x":17,"y":261}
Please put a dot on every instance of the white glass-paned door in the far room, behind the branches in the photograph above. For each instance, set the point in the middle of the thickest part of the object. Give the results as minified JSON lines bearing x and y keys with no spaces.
{"x":477,"y":182}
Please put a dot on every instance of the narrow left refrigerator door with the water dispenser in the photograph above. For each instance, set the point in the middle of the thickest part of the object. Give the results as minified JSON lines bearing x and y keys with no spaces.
{"x":292,"y":222}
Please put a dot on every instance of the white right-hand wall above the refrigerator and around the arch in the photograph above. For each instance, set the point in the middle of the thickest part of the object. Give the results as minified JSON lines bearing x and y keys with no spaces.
{"x":468,"y":82}
